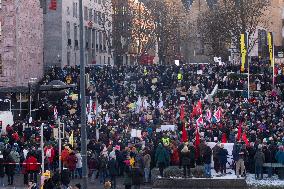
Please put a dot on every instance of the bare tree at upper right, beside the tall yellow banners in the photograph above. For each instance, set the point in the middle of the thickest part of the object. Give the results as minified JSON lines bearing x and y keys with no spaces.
{"x":222,"y":25}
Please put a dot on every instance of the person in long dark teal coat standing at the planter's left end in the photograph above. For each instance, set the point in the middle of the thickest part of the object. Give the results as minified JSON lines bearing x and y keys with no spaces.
{"x":162,"y":158}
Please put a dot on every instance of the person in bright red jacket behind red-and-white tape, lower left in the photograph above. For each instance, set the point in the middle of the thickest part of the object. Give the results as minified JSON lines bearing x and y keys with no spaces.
{"x":32,"y":167}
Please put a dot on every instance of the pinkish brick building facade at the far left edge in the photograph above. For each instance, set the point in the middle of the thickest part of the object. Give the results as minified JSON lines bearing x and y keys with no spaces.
{"x":21,"y":42}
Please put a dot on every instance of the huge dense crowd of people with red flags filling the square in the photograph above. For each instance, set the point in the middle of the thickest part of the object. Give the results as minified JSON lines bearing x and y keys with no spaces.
{"x":124,"y":98}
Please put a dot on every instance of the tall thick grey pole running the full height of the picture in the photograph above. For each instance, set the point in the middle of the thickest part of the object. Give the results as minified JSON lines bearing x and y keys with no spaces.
{"x":83,"y":100}
